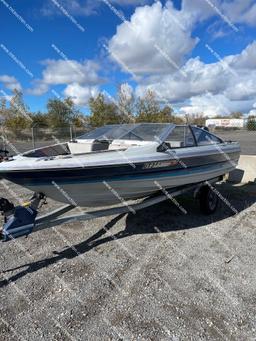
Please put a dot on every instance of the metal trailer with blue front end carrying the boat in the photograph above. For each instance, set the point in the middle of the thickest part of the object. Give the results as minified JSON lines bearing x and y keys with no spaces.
{"x":23,"y":220}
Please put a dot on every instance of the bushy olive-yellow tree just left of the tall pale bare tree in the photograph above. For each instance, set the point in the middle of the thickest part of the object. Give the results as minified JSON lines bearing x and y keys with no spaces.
{"x":103,"y":112}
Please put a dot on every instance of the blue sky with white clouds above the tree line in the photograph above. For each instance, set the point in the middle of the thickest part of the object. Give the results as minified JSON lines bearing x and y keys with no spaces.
{"x":198,"y":56}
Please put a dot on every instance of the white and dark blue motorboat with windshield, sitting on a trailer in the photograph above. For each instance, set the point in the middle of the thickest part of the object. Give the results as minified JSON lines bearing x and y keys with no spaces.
{"x":116,"y":163}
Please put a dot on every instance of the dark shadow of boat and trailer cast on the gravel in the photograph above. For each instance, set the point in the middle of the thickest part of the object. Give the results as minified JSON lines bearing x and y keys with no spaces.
{"x":161,"y":218}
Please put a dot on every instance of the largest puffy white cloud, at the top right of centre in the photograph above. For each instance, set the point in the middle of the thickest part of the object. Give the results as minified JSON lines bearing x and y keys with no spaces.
{"x":154,"y":41}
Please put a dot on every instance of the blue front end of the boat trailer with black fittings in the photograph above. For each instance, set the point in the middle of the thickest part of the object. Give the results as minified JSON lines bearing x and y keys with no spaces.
{"x":20,"y":220}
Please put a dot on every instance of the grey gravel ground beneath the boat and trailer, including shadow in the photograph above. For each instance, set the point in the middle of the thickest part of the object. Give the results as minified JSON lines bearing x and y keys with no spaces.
{"x":156,"y":275}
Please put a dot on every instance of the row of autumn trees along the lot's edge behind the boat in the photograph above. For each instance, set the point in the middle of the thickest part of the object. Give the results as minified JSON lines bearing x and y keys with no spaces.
{"x":125,"y":108}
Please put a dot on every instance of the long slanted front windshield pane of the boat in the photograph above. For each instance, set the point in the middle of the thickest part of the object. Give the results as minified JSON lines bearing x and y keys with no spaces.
{"x":140,"y":132}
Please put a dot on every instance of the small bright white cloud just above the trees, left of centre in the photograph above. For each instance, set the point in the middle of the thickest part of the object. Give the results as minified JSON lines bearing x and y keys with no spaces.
{"x":80,"y":94}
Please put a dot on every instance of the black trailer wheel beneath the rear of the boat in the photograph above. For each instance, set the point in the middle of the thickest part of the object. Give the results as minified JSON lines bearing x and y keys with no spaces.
{"x":208,"y":200}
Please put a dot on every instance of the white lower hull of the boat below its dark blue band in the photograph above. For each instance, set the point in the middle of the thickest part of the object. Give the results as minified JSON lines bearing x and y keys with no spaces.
{"x":110,"y":192}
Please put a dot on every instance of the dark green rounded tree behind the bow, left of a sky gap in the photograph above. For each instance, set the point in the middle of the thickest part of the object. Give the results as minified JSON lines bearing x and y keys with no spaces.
{"x":61,"y":112}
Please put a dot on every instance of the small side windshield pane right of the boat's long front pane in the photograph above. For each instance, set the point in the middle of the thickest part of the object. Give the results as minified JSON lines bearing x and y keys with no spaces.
{"x":180,"y":137}
